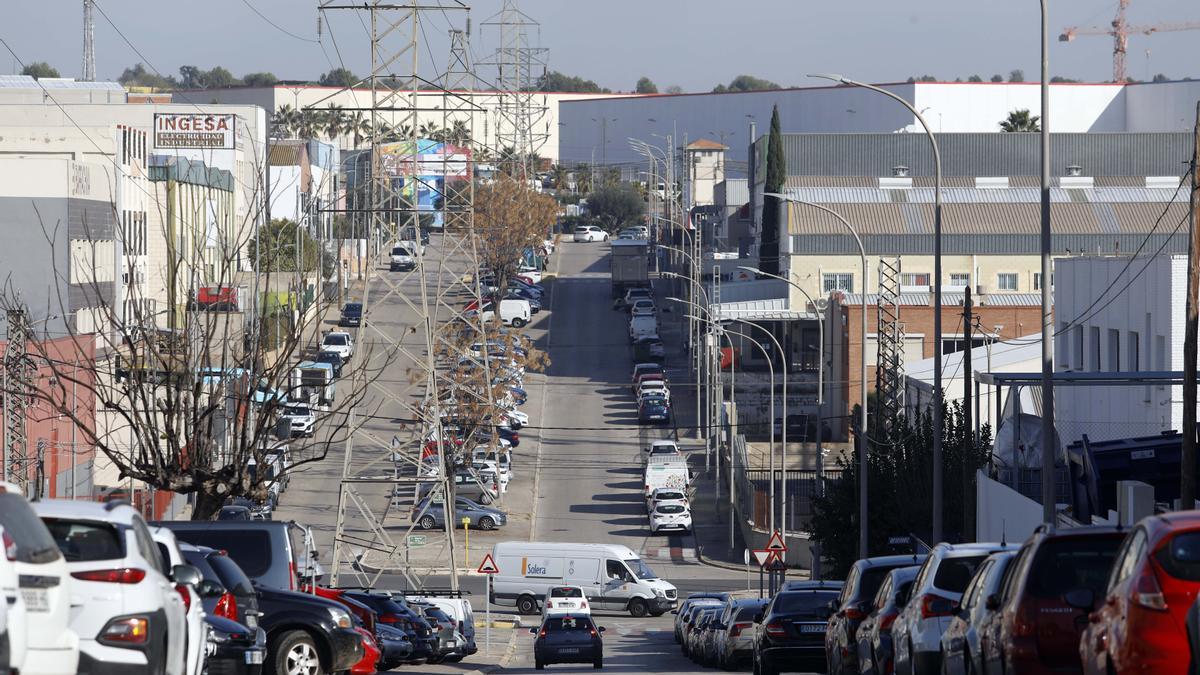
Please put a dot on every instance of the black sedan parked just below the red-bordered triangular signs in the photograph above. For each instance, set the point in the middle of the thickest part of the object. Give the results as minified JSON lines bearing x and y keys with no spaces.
{"x":791,"y":631}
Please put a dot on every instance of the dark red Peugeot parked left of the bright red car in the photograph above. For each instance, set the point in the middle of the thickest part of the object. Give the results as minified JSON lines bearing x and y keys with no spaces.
{"x":1034,"y":629}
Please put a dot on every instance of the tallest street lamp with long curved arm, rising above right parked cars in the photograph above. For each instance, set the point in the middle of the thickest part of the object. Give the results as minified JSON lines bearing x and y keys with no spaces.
{"x":938,"y":289}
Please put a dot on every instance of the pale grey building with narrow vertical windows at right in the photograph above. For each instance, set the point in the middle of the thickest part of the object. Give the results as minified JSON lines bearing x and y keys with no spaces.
{"x":1123,"y":303}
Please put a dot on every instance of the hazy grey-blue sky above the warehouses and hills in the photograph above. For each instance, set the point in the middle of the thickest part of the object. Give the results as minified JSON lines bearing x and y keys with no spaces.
{"x":693,"y":44}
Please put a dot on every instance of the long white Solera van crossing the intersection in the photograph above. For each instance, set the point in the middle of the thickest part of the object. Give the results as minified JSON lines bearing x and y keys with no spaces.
{"x":611,"y":576}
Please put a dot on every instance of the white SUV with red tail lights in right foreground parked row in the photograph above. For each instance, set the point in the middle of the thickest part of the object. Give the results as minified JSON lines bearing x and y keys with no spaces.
{"x":917,"y":632}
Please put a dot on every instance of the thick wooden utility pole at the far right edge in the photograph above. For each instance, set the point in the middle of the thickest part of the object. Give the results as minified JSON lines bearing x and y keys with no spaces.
{"x":1189,"y":461}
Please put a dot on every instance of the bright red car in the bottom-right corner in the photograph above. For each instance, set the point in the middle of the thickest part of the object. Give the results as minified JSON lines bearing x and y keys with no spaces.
{"x":1141,"y":626}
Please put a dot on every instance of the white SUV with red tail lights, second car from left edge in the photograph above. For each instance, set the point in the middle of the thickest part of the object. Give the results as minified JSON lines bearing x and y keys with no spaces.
{"x":130,"y":613}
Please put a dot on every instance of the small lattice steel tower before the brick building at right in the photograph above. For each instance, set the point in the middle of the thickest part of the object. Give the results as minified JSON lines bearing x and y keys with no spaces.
{"x":890,"y":372}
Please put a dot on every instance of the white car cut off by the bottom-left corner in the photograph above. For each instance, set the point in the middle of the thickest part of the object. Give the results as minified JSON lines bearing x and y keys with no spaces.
{"x":49,"y":641}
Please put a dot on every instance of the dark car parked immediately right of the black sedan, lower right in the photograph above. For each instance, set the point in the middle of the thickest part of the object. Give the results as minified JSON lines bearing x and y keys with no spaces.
{"x":853,"y":607}
